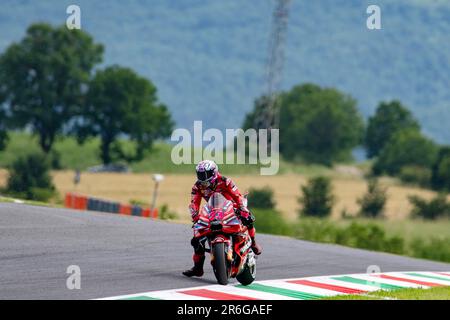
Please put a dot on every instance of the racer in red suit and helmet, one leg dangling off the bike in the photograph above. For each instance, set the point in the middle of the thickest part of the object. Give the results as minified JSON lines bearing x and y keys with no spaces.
{"x":209,"y":180}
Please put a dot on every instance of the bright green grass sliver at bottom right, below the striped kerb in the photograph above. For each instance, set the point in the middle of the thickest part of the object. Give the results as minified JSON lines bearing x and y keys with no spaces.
{"x":436,"y":293}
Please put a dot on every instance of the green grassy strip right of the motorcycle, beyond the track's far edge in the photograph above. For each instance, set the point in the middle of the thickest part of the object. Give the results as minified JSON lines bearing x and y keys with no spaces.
{"x":365,"y":234}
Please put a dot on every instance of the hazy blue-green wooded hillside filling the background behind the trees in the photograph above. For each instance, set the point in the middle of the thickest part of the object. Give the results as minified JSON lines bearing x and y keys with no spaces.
{"x":207,"y":57}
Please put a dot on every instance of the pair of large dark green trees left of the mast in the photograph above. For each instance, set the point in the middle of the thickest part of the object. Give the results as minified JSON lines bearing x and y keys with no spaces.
{"x":48,"y":86}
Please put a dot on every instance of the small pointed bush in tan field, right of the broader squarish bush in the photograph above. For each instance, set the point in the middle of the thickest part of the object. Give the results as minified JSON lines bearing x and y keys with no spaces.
{"x":373,"y":202}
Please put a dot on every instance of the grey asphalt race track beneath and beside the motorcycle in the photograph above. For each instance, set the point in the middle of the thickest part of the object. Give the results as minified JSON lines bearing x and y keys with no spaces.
{"x":121,"y":255}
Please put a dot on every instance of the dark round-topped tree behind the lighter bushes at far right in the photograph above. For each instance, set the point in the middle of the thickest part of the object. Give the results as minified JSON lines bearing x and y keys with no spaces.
{"x":389,"y":118}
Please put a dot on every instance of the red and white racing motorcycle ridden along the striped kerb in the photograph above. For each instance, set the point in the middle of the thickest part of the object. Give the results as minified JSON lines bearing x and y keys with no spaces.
{"x":229,"y":243}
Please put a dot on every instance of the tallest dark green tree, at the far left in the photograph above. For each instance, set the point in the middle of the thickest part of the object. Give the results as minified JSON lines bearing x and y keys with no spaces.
{"x":44,"y":78}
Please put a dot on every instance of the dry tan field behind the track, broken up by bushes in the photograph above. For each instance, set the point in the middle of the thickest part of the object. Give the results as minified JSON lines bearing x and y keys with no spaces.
{"x":175,"y":190}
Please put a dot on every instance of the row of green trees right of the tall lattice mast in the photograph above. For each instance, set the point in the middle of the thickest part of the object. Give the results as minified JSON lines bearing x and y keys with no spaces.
{"x":323,"y":125}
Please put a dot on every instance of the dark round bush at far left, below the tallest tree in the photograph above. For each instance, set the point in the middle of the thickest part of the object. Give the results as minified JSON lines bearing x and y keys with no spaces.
{"x":29,"y":178}
